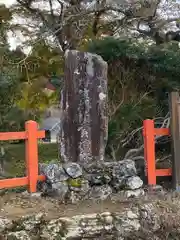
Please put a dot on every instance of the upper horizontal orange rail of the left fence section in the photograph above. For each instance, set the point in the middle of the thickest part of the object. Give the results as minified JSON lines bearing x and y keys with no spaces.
{"x":18,"y":135}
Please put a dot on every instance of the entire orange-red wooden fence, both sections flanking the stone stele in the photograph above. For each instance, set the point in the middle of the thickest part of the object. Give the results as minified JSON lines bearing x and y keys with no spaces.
{"x":31,"y":136}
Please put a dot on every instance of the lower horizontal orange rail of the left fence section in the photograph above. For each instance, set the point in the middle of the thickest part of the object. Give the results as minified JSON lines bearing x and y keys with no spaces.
{"x":17,"y":182}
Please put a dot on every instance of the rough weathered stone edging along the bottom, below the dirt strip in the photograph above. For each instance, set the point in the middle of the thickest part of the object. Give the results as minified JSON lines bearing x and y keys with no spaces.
{"x":137,"y":221}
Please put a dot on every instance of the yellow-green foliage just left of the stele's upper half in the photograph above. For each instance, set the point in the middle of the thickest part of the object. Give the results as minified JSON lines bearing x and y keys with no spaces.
{"x":36,"y":70}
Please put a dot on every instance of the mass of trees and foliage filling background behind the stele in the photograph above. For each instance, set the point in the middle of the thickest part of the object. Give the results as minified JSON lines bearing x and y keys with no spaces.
{"x":138,"y":39}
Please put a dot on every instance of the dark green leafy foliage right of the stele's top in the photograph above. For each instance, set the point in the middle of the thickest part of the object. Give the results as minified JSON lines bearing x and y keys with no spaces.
{"x":162,"y":60}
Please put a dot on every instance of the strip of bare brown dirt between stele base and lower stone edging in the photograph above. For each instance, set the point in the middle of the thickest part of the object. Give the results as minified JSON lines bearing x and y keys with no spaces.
{"x":15,"y":205}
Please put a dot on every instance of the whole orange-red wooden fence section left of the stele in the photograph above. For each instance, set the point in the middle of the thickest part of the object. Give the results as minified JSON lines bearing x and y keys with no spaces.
{"x":31,"y":136}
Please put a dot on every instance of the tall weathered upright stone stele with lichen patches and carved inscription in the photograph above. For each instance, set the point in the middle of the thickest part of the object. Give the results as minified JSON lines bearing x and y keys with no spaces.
{"x":83,"y":135}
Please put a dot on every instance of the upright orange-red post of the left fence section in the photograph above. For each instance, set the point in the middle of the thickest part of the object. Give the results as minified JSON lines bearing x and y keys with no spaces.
{"x":32,"y":154}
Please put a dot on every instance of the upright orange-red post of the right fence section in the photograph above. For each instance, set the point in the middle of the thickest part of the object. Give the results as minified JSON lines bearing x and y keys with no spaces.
{"x":149,"y":150}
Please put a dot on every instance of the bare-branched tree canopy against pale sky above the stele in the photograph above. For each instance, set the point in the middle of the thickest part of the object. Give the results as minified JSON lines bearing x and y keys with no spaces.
{"x":67,"y":21}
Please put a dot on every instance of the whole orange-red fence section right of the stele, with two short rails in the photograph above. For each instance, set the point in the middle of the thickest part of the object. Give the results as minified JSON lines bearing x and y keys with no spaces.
{"x":149,"y":133}
